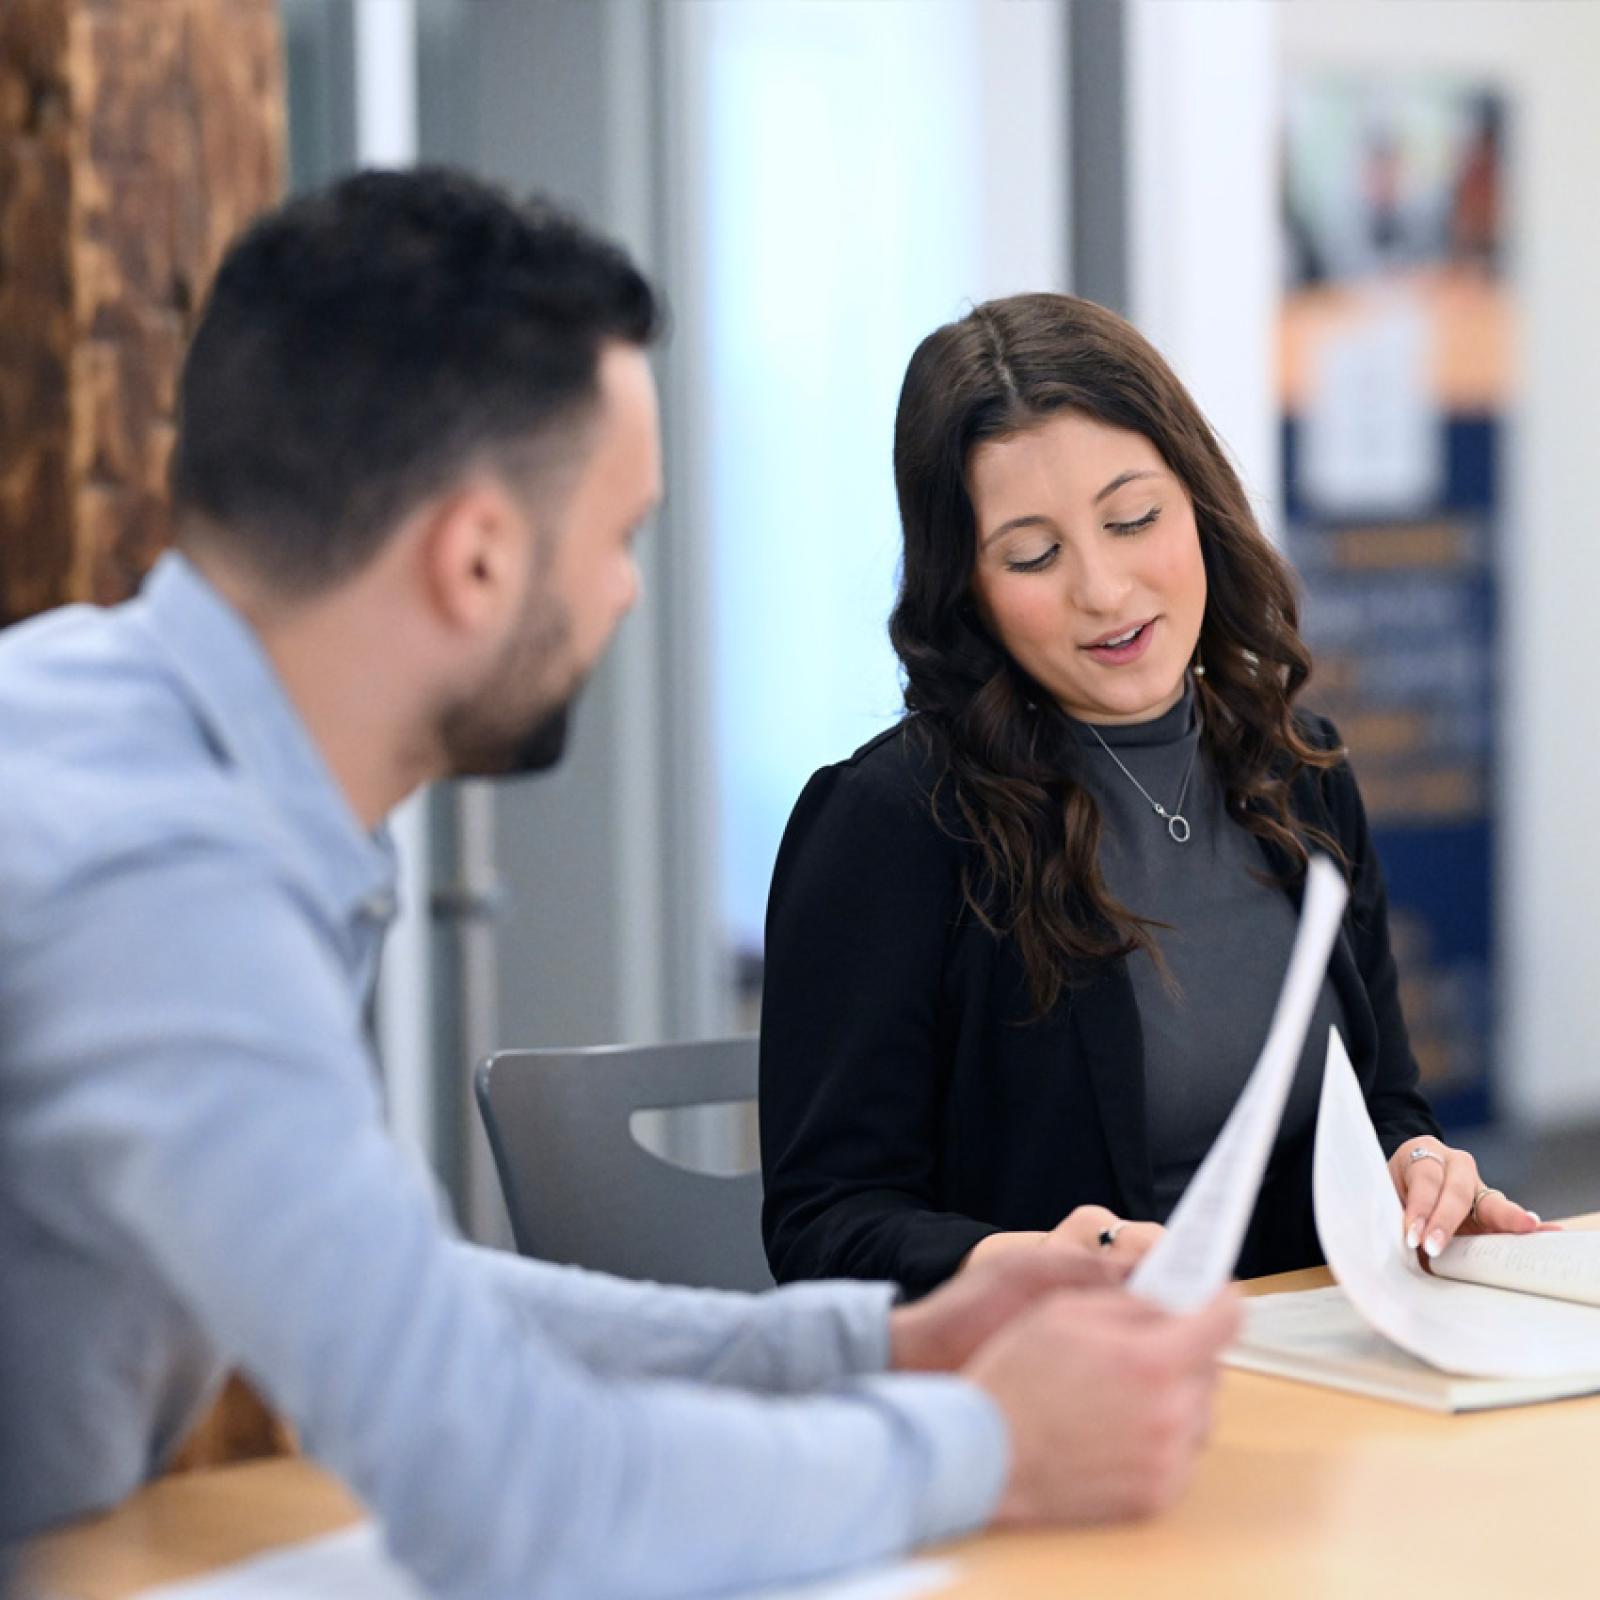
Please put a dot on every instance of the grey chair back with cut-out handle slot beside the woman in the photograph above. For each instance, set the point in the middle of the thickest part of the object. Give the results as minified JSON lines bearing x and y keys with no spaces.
{"x":582,"y":1190}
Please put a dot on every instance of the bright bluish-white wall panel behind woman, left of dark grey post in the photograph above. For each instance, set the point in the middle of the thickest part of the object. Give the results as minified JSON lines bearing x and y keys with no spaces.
{"x":849,"y":177}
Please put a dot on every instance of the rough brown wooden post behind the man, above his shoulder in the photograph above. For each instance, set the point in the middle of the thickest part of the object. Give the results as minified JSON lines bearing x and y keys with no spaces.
{"x":135,"y":142}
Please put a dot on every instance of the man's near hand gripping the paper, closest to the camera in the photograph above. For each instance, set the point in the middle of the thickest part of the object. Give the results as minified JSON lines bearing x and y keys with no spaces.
{"x":1108,"y":1401}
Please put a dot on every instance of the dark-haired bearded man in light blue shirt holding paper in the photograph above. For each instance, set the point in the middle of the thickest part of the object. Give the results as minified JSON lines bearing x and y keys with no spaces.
{"x":418,"y":439}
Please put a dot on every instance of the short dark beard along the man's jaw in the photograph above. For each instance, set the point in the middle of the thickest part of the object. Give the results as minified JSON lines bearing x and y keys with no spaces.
{"x":482,"y":742}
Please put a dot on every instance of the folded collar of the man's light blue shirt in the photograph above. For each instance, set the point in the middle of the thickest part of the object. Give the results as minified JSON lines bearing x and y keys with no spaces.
{"x":254,"y":722}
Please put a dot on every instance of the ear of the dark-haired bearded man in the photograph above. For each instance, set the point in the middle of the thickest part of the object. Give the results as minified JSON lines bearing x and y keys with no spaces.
{"x":474,"y":548}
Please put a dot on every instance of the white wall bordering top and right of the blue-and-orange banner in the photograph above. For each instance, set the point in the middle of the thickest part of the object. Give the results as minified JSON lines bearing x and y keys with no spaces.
{"x":1546,"y":55}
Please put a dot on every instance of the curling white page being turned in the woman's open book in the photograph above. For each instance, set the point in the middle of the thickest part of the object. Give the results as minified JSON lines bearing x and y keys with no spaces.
{"x":1457,"y":1327}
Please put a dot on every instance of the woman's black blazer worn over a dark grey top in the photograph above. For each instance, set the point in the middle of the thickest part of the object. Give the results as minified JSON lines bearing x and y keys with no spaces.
{"x":910,"y":1106}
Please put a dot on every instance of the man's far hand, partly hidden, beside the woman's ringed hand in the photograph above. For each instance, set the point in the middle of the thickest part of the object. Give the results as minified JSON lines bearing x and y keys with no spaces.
{"x":945,"y":1330}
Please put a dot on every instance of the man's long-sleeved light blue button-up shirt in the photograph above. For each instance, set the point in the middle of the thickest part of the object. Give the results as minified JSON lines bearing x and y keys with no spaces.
{"x":196,"y":1175}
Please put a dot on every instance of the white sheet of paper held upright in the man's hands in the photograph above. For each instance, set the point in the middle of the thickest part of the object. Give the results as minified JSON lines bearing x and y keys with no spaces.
{"x":1196,"y":1255}
